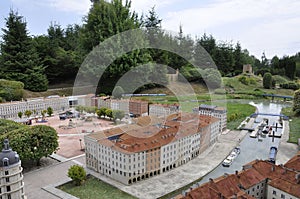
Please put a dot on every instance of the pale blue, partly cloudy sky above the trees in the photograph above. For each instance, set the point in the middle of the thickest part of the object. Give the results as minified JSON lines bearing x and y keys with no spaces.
{"x":270,"y":26}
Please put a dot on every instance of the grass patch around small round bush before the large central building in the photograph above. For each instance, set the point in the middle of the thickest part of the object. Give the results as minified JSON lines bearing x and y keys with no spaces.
{"x":94,"y":189}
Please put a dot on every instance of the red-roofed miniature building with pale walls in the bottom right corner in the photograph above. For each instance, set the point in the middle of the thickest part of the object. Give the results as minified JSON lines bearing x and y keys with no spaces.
{"x":258,"y":179}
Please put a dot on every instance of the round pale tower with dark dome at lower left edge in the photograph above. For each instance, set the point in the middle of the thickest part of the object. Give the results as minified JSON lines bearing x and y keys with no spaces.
{"x":11,"y":178}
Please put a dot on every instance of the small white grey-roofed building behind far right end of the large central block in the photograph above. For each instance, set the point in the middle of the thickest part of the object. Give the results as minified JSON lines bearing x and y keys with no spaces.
{"x":214,"y":111}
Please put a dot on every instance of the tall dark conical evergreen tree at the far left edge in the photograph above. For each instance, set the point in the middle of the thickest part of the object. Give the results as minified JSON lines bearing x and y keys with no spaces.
{"x":19,"y":57}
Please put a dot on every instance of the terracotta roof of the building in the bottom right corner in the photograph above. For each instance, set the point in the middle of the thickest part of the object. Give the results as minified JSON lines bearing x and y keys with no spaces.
{"x":233,"y":185}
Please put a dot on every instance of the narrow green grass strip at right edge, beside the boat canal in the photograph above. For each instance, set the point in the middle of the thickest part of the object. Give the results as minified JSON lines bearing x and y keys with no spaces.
{"x":294,"y":125}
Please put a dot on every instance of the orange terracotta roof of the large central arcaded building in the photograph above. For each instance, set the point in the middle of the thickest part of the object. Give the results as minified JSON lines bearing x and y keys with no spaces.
{"x":138,"y":138}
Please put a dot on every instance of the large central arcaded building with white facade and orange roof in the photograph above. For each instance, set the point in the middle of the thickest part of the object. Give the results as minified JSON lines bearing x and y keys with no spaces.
{"x":135,"y":152}
